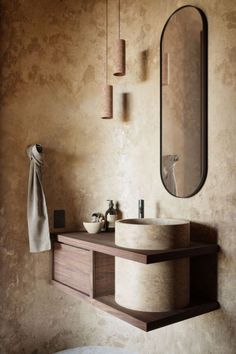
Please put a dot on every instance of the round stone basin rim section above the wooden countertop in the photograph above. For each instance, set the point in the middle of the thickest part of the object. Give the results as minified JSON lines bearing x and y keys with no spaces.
{"x":152,"y":234}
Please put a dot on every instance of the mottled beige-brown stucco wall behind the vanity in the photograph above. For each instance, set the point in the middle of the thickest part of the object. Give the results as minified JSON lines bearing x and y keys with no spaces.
{"x":52,"y":61}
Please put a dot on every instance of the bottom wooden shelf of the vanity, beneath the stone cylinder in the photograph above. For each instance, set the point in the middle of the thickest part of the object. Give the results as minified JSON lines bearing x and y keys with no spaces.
{"x":147,"y":321}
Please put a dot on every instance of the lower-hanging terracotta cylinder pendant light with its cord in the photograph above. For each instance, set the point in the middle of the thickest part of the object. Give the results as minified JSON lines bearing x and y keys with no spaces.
{"x":107,"y":89}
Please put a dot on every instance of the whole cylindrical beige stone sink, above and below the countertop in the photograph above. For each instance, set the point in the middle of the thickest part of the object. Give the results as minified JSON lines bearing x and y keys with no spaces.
{"x":153,"y":287}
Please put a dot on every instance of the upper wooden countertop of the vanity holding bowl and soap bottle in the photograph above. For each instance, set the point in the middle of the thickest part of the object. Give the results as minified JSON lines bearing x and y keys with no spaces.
{"x":105,"y":243}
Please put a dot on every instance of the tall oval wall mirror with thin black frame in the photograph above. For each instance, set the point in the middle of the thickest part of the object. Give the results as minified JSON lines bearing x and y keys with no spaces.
{"x":184,"y":102}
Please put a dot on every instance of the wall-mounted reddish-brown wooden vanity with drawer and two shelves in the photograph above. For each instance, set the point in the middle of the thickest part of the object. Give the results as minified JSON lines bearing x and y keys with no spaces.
{"x":84,"y":265}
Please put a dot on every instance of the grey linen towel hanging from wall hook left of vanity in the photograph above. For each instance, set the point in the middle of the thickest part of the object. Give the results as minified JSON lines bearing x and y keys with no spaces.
{"x":37,"y":215}
